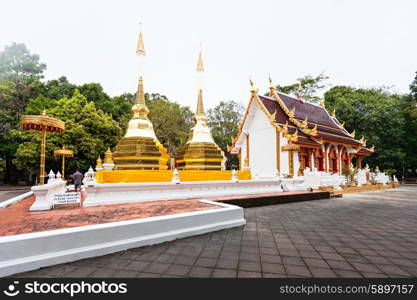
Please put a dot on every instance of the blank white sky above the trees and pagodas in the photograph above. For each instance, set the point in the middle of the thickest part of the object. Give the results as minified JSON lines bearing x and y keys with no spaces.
{"x":359,"y":43}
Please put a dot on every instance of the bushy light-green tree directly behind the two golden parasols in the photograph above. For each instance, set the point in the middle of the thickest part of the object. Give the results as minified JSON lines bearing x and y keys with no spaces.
{"x":88,"y":132}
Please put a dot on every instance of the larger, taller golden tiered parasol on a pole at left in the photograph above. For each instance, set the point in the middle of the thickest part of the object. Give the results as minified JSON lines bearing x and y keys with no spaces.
{"x":44,"y":124}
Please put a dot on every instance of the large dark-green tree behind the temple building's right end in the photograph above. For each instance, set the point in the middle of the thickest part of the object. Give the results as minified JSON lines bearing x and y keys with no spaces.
{"x":377,"y":114}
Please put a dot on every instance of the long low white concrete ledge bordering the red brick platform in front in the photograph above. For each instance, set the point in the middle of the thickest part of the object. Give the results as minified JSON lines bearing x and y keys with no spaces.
{"x":24,"y":252}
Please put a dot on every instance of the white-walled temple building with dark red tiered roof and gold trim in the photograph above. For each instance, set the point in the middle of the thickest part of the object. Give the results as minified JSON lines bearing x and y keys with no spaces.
{"x":281,"y":135}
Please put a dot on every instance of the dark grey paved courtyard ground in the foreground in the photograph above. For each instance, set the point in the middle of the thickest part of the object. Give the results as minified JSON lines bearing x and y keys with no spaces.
{"x":370,"y":234}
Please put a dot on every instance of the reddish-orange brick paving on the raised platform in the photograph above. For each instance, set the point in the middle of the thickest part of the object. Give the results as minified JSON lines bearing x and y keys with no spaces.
{"x":17,"y":219}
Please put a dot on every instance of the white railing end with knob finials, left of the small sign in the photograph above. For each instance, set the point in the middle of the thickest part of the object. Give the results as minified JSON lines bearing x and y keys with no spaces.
{"x":44,"y":194}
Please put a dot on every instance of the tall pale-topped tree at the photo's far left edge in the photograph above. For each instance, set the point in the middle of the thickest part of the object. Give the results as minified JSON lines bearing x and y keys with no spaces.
{"x":20,"y":74}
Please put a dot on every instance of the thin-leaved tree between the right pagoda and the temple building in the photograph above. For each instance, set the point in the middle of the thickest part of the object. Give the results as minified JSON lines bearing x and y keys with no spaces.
{"x":223,"y":121}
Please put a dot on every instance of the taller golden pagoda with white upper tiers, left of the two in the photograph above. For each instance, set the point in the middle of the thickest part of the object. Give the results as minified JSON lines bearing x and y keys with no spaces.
{"x":140,"y":149}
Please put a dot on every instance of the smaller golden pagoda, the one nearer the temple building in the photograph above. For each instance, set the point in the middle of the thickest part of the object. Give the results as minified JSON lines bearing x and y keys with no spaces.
{"x":200,"y":152}
